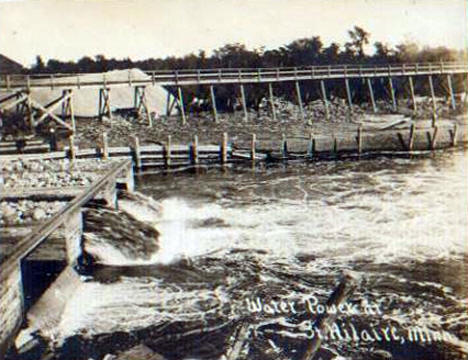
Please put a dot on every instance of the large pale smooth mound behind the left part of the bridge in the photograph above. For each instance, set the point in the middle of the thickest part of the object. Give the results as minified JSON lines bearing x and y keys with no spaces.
{"x":86,"y":100}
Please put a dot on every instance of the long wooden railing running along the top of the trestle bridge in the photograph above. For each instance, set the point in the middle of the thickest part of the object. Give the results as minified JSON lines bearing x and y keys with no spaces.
{"x":227,"y":75}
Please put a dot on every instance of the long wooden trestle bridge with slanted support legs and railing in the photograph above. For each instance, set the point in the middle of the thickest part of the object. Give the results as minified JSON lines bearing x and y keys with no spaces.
{"x":20,"y":86}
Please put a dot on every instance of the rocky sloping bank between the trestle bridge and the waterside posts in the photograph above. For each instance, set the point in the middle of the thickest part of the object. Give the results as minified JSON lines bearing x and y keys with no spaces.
{"x":122,"y":128}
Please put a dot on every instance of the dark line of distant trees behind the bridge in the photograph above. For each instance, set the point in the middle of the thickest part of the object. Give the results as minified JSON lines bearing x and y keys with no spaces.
{"x":301,"y":52}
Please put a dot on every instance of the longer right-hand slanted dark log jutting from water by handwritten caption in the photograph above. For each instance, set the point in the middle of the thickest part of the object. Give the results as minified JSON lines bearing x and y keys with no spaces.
{"x":324,"y":322}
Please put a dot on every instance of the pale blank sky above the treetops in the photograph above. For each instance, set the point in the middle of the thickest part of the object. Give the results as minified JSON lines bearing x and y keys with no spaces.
{"x":140,"y":29}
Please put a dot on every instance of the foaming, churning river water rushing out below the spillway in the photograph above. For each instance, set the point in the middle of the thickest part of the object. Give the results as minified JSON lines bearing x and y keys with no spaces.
{"x":231,"y":239}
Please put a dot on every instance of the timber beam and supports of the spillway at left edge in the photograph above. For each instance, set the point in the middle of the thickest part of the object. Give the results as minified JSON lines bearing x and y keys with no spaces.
{"x":65,"y":227}
